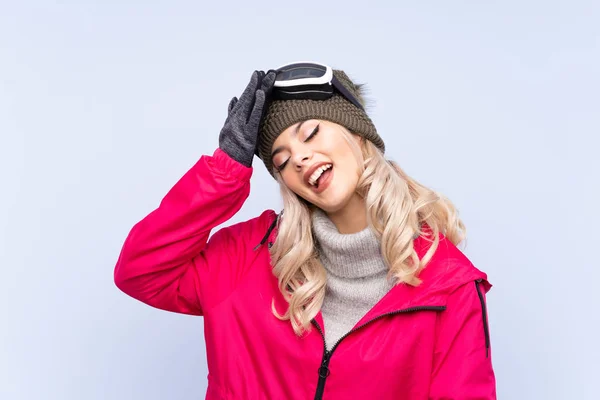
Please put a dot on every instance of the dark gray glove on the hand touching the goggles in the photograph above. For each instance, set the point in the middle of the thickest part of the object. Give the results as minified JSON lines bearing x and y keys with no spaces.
{"x":238,"y":137}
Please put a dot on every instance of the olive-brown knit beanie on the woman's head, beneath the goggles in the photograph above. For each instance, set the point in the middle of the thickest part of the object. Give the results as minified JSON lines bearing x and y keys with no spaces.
{"x":281,"y":114}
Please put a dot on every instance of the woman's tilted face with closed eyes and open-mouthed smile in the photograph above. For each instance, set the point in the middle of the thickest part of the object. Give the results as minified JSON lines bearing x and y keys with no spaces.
{"x":317,"y":163}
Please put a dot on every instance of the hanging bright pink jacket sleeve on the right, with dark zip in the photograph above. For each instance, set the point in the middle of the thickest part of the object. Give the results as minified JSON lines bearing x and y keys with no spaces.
{"x":462,"y":368}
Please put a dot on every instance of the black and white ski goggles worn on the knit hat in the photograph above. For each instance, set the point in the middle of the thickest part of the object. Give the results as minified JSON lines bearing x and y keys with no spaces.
{"x":309,"y":81}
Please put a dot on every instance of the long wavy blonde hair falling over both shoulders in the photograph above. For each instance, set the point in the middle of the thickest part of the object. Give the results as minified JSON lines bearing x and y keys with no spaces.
{"x":397,"y":209}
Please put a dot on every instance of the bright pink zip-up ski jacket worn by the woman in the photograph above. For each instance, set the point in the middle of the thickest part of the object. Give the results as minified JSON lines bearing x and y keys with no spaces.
{"x":425,"y":342}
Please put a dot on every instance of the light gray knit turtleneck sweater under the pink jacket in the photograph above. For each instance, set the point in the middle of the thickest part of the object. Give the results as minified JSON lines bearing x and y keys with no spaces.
{"x":356,"y":275}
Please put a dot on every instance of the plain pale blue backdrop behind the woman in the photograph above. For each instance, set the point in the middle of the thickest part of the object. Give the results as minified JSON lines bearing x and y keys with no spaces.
{"x":104,"y":105}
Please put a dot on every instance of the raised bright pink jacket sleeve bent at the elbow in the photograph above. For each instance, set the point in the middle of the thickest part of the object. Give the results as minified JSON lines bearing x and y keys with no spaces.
{"x":167,"y":260}
